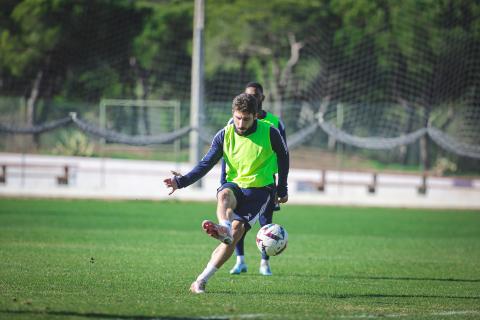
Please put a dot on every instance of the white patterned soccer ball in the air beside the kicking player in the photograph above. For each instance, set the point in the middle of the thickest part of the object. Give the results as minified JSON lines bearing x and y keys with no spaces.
{"x":272,"y":239}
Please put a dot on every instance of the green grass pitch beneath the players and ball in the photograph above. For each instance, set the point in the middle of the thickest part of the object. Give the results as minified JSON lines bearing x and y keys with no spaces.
{"x":136,"y":259}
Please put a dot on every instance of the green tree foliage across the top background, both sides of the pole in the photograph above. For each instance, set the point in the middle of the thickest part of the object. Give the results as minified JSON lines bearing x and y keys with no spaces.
{"x":137,"y":41}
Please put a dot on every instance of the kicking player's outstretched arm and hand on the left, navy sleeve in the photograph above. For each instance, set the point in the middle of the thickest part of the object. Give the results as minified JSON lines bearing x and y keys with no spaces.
{"x":214,"y":154}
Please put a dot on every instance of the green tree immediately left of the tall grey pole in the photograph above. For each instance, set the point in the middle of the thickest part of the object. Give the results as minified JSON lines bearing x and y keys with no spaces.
{"x":161,"y":53}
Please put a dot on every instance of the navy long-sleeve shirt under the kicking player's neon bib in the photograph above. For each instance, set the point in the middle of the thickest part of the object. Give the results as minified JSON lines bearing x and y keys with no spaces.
{"x":215,"y":153}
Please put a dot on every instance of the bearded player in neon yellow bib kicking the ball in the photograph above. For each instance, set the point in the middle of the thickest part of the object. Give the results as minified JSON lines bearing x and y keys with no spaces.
{"x":252,"y":151}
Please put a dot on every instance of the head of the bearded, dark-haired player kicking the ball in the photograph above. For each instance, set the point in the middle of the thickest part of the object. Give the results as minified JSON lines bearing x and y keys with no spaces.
{"x":244,"y":110}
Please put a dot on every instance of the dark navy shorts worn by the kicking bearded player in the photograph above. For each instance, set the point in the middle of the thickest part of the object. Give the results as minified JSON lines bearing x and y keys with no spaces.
{"x":251,"y":202}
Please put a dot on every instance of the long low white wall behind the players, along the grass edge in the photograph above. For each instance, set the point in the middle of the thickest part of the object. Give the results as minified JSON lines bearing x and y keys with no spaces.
{"x":35,"y":176}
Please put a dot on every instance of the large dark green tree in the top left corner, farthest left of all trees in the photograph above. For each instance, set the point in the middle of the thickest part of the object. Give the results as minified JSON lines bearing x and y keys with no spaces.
{"x":64,"y":47}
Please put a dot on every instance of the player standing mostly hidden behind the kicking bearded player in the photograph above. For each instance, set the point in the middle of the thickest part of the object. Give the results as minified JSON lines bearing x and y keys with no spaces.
{"x":240,"y":266}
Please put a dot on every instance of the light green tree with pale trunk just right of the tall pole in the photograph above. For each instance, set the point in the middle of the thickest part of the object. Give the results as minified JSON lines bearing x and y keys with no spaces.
{"x":264,"y":38}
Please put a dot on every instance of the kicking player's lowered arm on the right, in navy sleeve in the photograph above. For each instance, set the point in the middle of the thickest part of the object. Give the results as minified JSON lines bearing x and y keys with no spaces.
{"x":283,"y":159}
